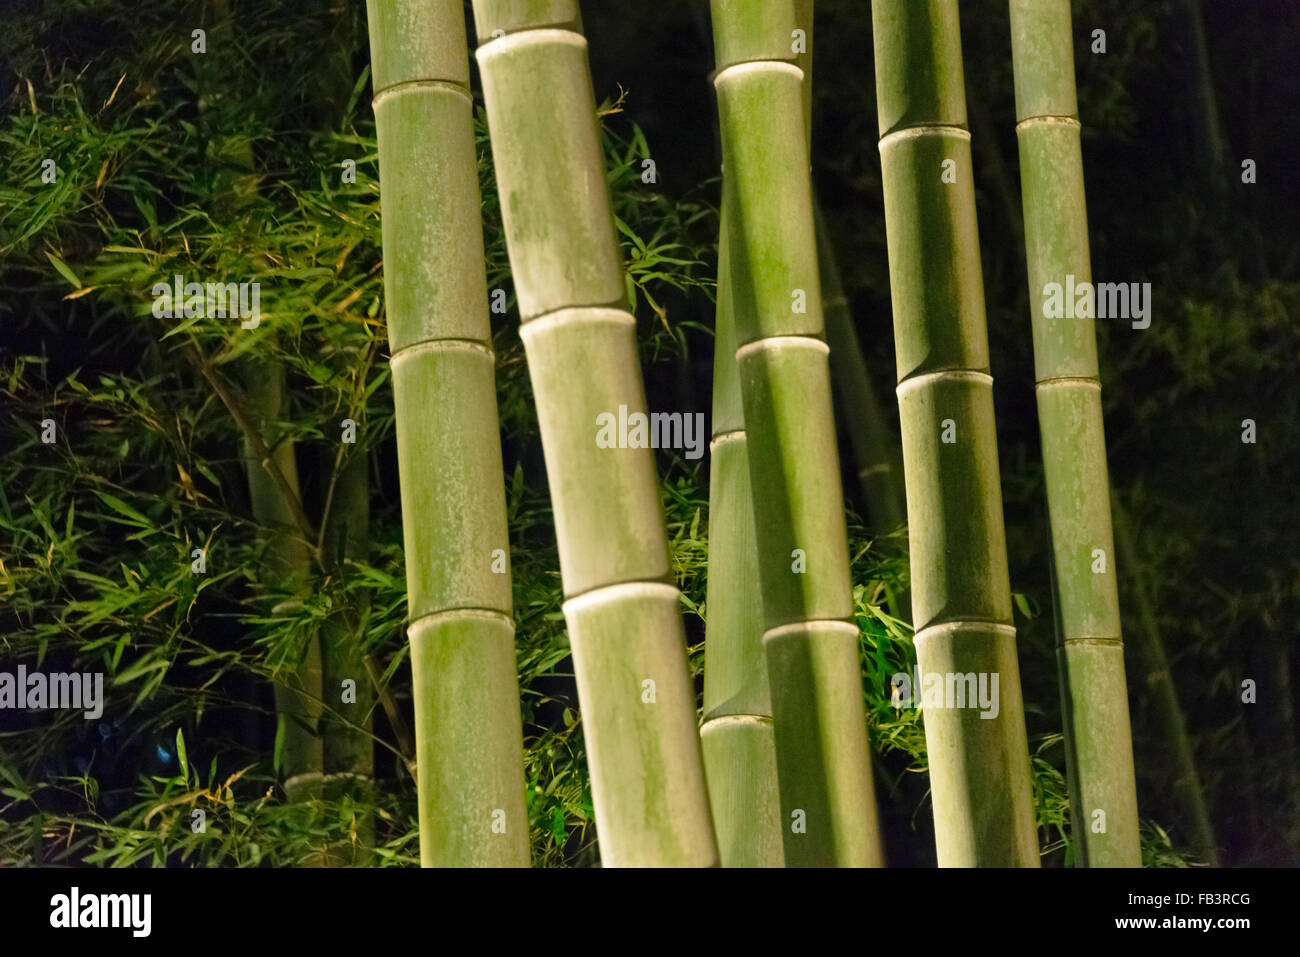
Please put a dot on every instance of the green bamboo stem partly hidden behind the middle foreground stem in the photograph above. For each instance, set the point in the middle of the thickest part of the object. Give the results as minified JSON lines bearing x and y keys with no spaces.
{"x":738,"y":737}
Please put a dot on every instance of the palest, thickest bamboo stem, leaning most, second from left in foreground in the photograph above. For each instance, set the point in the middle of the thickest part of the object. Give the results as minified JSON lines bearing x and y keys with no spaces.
{"x":639,"y":712}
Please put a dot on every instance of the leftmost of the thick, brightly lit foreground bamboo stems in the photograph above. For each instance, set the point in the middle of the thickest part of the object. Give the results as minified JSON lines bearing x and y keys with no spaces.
{"x":467,"y":717}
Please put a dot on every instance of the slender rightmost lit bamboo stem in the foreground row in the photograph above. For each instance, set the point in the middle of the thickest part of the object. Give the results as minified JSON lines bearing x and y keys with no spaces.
{"x":1095,"y":699}
